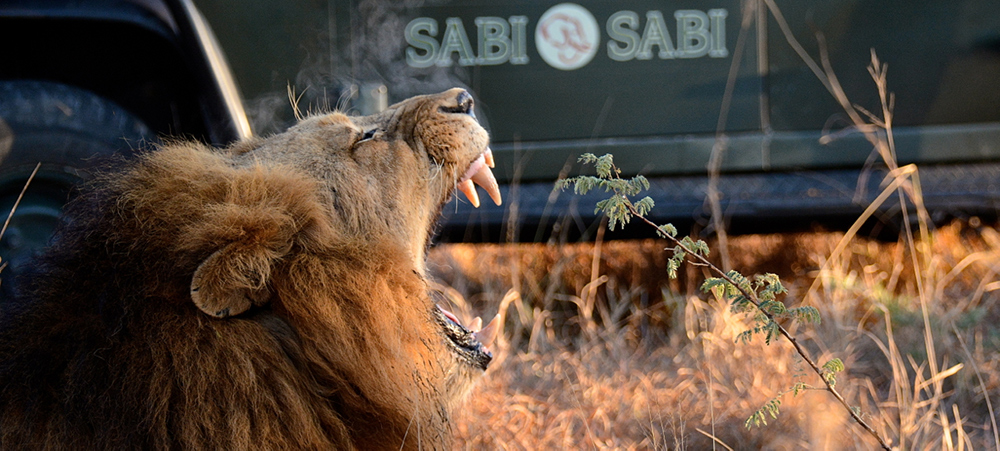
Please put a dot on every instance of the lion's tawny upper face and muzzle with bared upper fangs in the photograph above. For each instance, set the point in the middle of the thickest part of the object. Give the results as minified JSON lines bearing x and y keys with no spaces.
{"x":391,"y":172}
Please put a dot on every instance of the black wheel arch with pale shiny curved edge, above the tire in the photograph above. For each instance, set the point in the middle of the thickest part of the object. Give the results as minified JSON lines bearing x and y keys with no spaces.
{"x":157,"y":58}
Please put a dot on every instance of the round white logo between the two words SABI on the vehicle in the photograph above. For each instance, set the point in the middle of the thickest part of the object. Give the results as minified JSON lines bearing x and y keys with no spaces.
{"x":567,"y":36}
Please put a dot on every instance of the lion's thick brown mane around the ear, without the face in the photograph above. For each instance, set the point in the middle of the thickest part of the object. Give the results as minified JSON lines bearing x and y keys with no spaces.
{"x":137,"y":366}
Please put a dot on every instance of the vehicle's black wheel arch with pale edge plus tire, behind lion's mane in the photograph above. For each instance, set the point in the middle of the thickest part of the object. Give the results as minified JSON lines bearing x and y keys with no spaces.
{"x":84,"y":80}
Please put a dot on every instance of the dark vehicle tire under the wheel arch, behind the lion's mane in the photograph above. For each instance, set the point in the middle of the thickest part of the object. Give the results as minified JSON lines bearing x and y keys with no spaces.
{"x":69,"y":131}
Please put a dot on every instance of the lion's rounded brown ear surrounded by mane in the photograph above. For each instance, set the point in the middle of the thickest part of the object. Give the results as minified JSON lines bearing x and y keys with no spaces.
{"x":233,"y":279}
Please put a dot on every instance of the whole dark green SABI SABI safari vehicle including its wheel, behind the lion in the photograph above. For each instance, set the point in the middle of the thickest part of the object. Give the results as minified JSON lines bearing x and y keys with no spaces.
{"x":644,"y":80}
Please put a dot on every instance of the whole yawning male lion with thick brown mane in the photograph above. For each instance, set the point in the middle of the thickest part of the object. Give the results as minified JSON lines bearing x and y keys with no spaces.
{"x":270,"y":295}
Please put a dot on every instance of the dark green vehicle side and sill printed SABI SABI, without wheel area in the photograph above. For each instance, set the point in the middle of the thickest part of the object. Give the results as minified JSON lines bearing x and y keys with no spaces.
{"x":647,"y":81}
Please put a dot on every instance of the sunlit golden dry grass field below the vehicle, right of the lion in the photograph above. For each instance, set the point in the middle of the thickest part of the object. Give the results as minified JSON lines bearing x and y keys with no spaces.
{"x":601,"y":350}
